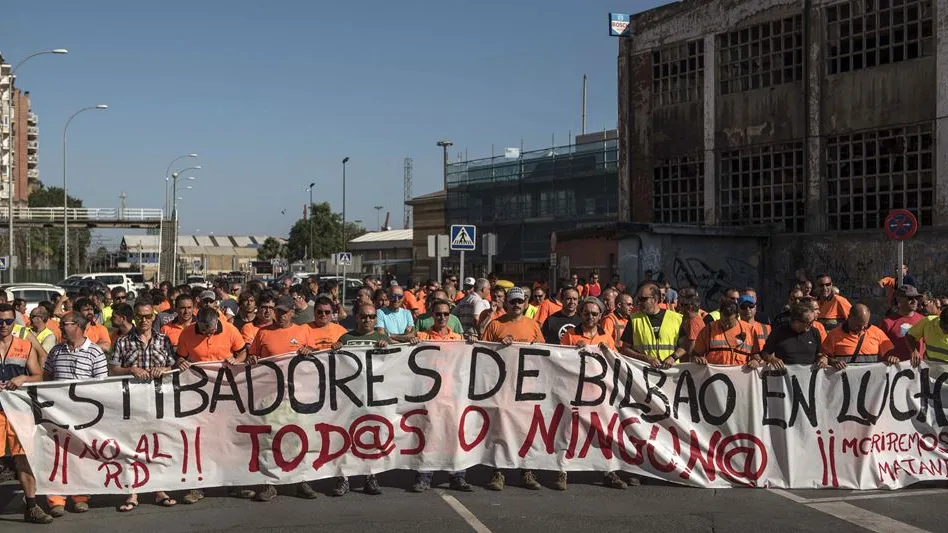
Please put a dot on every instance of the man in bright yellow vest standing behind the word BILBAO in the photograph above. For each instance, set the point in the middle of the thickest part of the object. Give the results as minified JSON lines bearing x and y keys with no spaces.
{"x":653,"y":334}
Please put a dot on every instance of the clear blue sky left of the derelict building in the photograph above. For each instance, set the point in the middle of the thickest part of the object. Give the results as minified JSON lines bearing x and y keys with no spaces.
{"x":273,"y":95}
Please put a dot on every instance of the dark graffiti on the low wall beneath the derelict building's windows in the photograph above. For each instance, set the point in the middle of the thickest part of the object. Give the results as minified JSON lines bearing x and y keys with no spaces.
{"x":712,"y":282}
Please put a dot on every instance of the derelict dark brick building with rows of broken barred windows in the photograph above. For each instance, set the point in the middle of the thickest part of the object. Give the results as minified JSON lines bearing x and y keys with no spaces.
{"x":810,"y":120}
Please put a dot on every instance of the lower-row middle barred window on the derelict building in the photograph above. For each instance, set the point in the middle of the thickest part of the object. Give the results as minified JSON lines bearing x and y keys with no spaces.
{"x":763,"y":185}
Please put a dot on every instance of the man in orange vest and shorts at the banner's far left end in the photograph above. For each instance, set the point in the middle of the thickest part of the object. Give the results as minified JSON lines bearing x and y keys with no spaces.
{"x":20,"y":365}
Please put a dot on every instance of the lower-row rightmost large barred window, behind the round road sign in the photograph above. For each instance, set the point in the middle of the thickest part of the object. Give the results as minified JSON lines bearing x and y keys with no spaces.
{"x":870,"y":173}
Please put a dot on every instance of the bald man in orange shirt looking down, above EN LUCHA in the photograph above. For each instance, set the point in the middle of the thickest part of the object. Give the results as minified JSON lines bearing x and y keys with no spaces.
{"x":858,"y":341}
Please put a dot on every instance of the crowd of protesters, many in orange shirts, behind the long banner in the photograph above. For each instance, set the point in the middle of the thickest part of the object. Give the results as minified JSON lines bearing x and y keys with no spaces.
{"x":88,"y":336}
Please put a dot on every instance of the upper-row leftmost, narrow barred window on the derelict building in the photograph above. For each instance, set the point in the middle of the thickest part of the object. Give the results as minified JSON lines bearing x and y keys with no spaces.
{"x":678,"y":73}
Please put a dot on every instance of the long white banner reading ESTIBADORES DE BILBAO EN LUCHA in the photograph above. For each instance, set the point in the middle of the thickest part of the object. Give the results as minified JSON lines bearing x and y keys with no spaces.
{"x":449,"y":406}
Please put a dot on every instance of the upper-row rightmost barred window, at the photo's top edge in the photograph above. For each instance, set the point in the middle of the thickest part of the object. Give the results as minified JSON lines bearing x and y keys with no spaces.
{"x":865,"y":33}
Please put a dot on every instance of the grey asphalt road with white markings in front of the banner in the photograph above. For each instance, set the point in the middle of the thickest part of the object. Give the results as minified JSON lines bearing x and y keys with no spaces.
{"x":586,"y":506}
